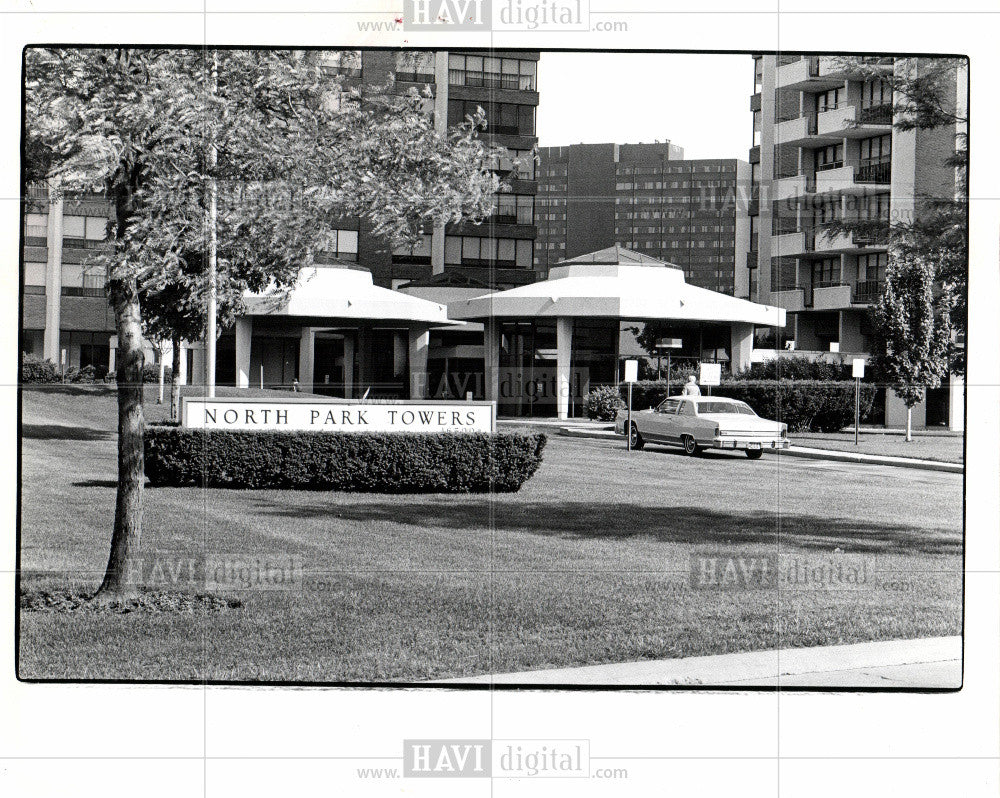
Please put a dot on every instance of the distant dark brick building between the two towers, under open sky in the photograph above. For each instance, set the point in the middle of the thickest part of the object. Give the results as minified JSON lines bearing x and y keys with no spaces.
{"x":646,"y":198}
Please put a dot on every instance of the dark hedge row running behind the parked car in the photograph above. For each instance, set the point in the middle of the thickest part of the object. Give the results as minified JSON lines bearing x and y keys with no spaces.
{"x":804,"y":405}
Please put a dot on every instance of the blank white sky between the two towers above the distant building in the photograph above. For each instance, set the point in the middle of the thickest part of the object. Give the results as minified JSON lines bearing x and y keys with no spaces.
{"x":699,"y":102}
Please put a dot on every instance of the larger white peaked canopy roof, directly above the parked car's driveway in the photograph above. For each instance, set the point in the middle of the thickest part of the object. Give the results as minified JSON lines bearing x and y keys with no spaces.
{"x":616,"y":283}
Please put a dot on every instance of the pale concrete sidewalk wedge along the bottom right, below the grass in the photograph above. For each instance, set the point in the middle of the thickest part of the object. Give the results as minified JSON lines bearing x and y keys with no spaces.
{"x":934,"y":662}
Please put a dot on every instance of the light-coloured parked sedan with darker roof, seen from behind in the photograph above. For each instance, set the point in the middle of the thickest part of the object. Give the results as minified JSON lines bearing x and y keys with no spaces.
{"x":704,"y":422}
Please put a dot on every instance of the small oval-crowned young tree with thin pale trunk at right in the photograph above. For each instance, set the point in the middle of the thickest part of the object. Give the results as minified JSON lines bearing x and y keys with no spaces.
{"x":912,"y":331}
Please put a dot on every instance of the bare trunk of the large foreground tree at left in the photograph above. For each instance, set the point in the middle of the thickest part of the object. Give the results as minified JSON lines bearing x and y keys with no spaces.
{"x":121,"y":580}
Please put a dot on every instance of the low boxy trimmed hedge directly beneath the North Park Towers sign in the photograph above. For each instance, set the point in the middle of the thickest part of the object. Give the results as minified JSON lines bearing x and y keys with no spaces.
{"x":409,"y":462}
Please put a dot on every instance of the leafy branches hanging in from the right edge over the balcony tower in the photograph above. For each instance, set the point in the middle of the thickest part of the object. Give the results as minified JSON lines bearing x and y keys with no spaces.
{"x":925,"y":97}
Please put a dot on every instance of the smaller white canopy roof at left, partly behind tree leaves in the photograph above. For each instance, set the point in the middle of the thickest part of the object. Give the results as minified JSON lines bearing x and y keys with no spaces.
{"x":344,"y":294}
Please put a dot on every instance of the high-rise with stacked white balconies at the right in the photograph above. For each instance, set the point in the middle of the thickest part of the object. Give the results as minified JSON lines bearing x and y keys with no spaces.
{"x":825,"y":149}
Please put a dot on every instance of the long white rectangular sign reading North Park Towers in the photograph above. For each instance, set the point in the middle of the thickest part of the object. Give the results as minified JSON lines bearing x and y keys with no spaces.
{"x":337,"y":415}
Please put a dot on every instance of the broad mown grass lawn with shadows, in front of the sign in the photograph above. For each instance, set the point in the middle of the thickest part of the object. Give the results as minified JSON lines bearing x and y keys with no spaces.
{"x":588,"y":563}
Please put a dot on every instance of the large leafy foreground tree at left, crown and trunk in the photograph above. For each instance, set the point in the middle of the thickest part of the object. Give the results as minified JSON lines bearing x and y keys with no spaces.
{"x":293,"y":155}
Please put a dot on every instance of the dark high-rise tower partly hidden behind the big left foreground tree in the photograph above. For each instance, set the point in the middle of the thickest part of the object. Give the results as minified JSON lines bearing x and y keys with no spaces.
{"x":66,"y":314}
